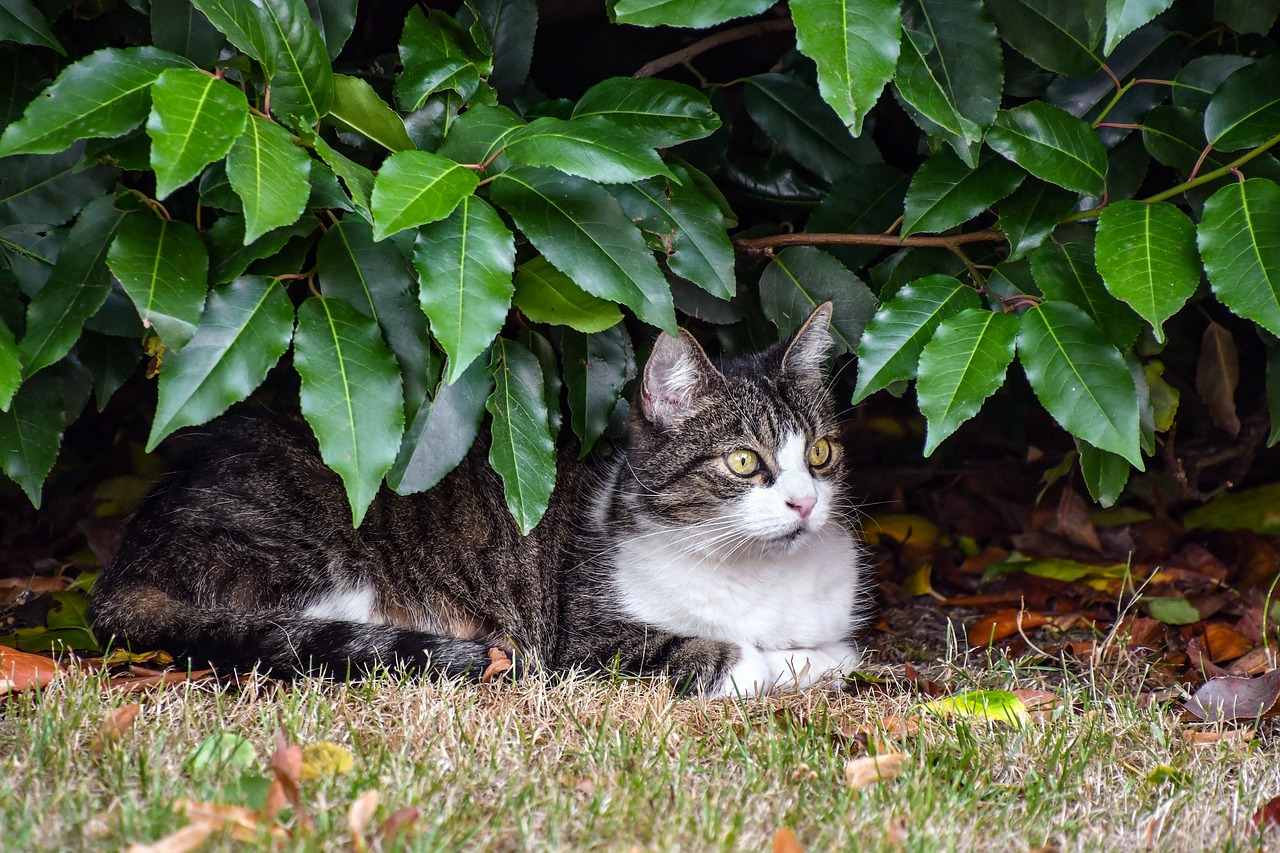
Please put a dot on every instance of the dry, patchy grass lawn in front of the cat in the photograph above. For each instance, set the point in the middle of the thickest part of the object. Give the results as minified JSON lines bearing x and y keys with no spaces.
{"x":587,"y":764}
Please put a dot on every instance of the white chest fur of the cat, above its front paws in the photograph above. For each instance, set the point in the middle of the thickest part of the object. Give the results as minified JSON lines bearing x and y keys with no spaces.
{"x":806,"y":597}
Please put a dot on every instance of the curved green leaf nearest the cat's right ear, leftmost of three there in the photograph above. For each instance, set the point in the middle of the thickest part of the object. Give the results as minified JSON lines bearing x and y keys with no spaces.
{"x":890,"y":348}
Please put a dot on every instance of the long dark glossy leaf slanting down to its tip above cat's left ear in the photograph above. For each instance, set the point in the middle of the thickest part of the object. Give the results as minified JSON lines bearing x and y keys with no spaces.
{"x":583,"y":231}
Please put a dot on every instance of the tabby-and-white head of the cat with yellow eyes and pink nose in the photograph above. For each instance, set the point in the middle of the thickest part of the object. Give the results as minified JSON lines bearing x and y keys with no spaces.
{"x":746,"y":454}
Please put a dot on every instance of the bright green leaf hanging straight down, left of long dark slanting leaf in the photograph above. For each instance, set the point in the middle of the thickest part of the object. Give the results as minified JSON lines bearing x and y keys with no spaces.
{"x":465,"y":264}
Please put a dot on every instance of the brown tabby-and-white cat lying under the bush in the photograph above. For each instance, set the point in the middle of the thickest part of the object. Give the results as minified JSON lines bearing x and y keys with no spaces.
{"x":715,"y":548}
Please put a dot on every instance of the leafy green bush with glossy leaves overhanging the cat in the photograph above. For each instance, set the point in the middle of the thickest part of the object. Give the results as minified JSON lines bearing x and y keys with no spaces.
{"x":432,"y":239}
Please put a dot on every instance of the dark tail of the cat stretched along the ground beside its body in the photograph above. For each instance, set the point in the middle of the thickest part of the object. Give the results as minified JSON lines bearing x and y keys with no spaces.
{"x":282,"y":644}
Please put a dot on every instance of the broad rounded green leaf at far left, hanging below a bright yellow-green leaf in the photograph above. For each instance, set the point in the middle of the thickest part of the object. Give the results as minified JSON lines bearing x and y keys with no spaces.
{"x":164,"y":268}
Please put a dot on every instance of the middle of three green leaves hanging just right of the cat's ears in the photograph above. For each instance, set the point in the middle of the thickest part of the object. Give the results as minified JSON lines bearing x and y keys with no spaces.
{"x":961,"y":367}
